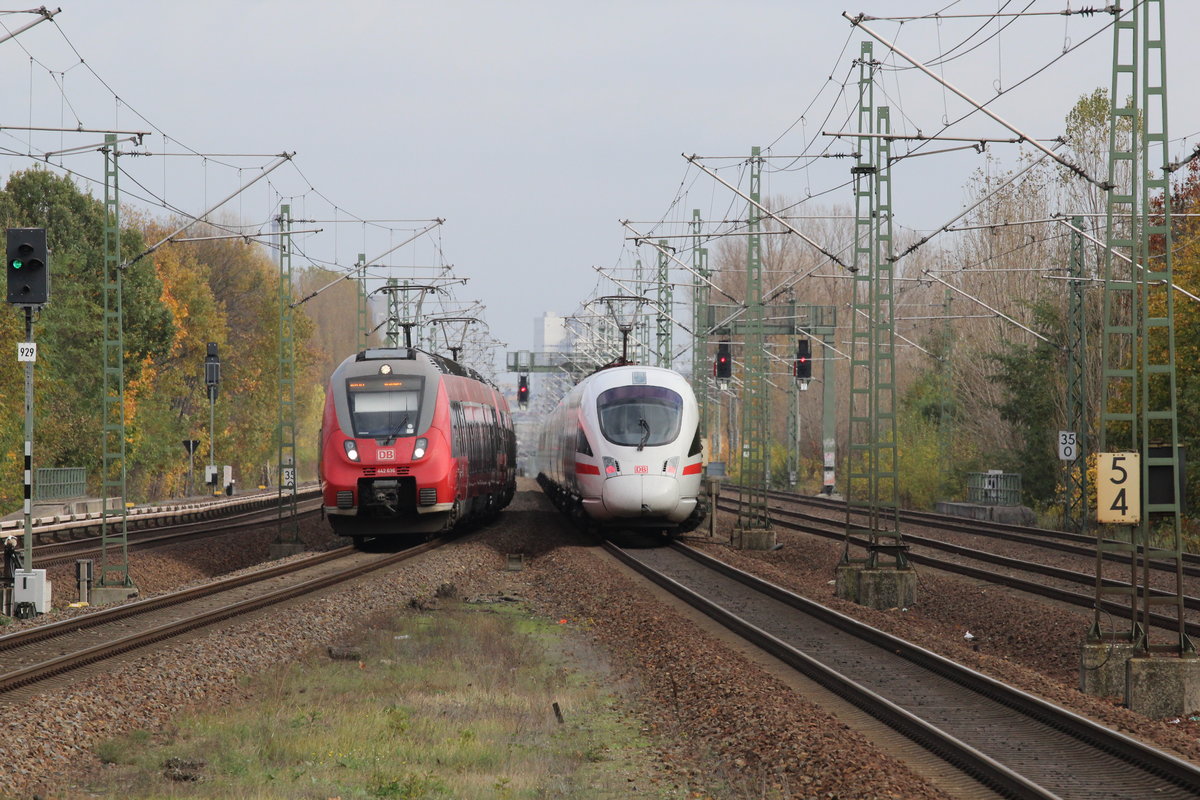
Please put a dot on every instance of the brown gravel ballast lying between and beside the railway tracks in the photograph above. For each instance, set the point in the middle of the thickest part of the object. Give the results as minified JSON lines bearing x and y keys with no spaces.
{"x":721,"y":717}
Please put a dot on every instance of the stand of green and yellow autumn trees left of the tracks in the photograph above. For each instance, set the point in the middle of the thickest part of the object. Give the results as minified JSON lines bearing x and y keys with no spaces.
{"x":175,"y":302}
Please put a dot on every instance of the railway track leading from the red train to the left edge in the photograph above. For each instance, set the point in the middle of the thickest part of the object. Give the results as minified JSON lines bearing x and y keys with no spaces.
{"x":39,"y":654}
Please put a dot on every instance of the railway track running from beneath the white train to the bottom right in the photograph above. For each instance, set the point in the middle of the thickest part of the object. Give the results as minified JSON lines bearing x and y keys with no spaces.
{"x":1010,"y":741}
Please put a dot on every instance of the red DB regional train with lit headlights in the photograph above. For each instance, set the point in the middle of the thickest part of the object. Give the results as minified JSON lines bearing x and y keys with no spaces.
{"x":413,"y":444}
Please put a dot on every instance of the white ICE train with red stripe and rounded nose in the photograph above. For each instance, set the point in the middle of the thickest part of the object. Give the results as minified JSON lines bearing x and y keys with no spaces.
{"x":623,"y":450}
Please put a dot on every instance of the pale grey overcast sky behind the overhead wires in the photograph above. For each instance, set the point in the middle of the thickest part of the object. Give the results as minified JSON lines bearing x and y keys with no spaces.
{"x":532,"y":127}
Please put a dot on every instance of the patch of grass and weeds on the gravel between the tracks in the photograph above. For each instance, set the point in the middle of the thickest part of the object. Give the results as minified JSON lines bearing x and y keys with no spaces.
{"x":455,"y":703}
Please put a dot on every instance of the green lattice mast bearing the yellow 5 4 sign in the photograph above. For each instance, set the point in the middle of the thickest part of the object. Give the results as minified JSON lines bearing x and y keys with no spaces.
{"x":1139,"y":394}
